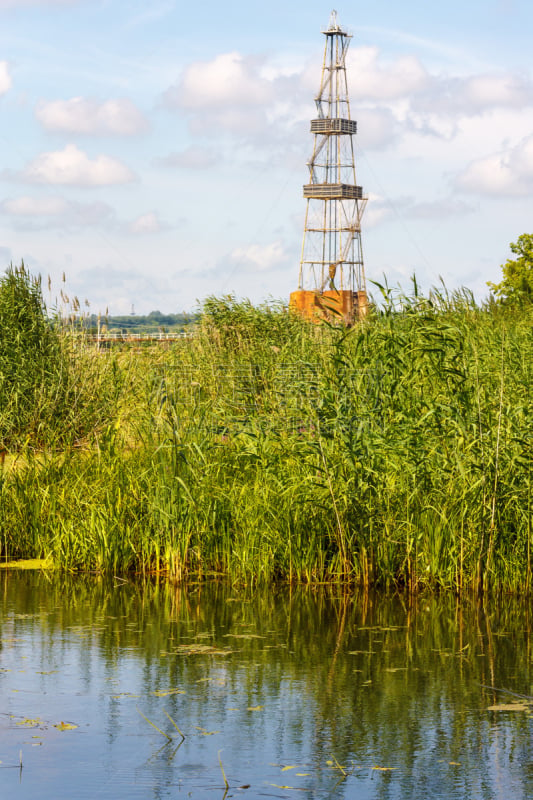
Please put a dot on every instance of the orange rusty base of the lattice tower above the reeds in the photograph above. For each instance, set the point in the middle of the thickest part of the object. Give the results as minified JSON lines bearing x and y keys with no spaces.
{"x":335,"y":306}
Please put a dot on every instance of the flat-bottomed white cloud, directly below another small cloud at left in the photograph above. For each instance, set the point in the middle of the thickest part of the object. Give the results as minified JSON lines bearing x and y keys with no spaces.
{"x":73,"y":167}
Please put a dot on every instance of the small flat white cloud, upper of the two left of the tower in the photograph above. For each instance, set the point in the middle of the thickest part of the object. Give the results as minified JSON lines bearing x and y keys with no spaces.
{"x":83,"y":115}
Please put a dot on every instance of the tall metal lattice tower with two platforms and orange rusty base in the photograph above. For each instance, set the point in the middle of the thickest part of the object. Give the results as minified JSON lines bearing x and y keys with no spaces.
{"x":332,"y":277}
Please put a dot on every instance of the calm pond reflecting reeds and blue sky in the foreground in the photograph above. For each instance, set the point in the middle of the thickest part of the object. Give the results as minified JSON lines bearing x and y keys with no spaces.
{"x":117,"y":688}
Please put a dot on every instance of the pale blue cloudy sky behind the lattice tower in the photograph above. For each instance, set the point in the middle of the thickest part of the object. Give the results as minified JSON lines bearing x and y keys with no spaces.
{"x":155,"y":152}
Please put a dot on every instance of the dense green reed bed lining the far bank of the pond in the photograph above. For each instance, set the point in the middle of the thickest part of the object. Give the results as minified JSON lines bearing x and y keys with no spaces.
{"x":262,"y":447}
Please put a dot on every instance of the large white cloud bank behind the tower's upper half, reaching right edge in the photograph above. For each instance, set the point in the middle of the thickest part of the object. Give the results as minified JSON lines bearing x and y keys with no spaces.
{"x":256,"y":103}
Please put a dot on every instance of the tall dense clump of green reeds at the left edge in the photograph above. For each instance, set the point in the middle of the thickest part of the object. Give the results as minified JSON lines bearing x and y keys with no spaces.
{"x":53,"y":391}
